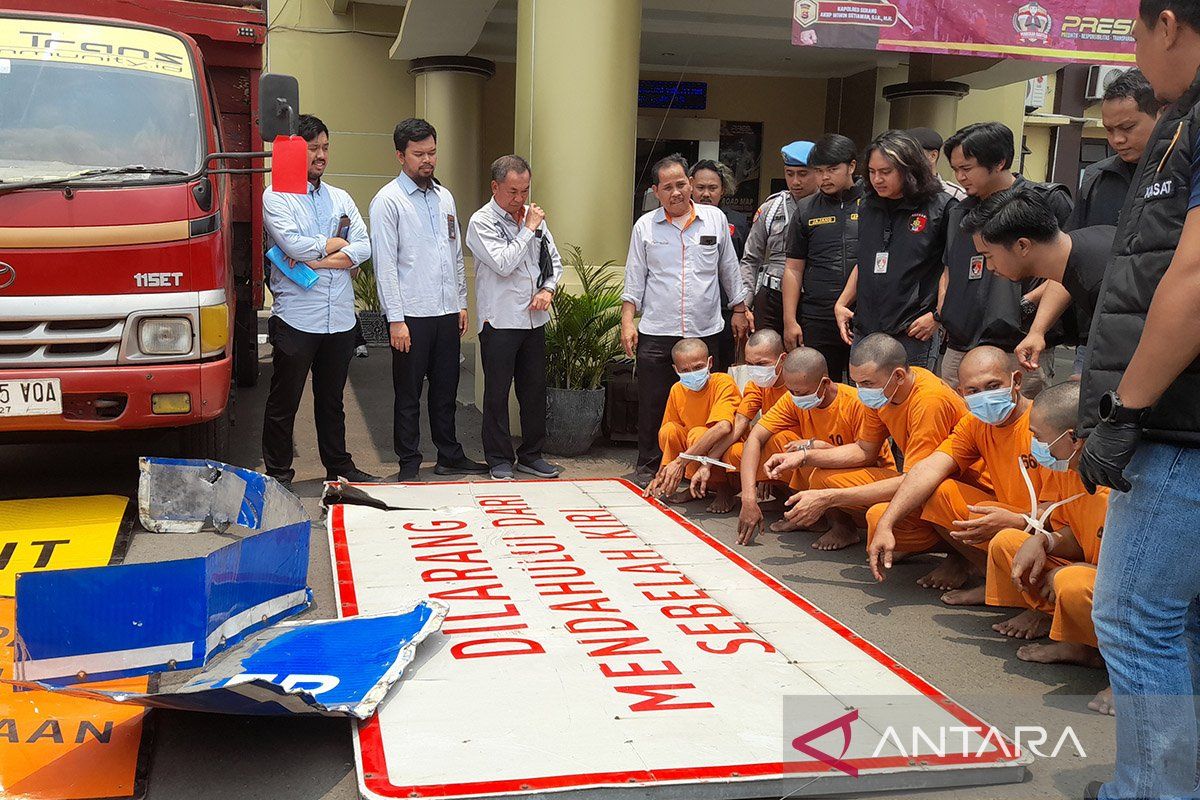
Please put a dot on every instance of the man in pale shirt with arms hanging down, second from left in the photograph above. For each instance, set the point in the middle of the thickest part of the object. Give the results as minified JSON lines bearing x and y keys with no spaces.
{"x":423,"y":287}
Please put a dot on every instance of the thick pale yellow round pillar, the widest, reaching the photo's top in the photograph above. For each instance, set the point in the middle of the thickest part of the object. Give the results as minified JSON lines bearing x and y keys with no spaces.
{"x":577,"y":117}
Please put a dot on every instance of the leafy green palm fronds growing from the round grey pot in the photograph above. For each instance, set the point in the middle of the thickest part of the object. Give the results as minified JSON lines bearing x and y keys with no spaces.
{"x":584,"y":334}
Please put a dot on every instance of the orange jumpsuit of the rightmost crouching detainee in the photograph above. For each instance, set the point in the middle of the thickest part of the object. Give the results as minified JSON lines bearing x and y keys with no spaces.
{"x":1072,"y":607}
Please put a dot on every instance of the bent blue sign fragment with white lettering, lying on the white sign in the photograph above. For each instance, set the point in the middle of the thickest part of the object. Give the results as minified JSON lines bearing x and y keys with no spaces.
{"x":315,"y":667}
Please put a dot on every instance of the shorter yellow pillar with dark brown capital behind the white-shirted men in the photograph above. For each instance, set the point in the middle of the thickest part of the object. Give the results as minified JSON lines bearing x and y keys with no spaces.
{"x":451,"y":97}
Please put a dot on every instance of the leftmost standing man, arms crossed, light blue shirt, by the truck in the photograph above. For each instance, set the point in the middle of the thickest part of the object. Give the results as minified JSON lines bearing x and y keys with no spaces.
{"x":313,"y":330}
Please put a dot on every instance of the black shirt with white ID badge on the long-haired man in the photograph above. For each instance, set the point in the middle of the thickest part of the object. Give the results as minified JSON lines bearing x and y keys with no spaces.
{"x":893,"y":293}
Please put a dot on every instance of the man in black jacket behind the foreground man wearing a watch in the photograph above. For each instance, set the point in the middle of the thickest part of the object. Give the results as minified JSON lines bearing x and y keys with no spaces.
{"x":1129,"y":112}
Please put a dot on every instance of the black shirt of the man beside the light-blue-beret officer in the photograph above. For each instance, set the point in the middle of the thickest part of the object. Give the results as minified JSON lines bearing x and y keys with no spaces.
{"x":825,"y":234}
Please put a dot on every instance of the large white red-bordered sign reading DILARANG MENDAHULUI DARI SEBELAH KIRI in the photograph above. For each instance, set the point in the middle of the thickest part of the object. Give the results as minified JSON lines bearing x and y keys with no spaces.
{"x":601,"y":646}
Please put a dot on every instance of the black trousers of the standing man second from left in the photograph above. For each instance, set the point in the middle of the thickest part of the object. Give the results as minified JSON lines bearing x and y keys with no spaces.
{"x":434,"y":354}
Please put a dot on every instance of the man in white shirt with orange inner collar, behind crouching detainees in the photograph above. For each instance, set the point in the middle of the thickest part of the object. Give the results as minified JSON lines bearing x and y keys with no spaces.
{"x":681,"y":257}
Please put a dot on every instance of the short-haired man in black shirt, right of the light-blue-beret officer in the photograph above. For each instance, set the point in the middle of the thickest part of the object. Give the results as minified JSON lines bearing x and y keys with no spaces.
{"x":823,"y":249}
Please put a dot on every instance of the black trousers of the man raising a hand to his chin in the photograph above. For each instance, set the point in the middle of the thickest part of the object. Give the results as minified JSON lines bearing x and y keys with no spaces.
{"x":514,"y":354}
